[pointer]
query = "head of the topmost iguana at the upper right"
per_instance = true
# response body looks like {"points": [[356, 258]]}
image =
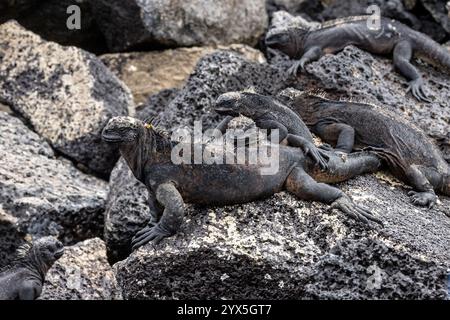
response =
{"points": [[287, 40]]}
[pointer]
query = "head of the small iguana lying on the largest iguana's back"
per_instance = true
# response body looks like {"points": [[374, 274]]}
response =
{"points": [[244, 103]]}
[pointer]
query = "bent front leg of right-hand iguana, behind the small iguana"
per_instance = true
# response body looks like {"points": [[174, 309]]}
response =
{"points": [[343, 134]]}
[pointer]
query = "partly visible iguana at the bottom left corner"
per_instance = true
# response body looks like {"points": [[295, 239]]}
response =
{"points": [[23, 280]]}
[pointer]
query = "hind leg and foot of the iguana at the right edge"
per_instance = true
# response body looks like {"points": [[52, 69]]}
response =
{"points": [[424, 196]]}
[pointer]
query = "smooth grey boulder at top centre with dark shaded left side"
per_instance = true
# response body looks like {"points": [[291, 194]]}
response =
{"points": [[179, 23]]}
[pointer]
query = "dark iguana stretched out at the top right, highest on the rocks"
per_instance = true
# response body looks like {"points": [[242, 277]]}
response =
{"points": [[393, 37]]}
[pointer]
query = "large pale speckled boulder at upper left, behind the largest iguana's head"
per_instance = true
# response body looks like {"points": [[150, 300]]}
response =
{"points": [[67, 95]]}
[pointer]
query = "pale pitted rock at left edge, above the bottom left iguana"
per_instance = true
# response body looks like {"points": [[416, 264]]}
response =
{"points": [[47, 195]]}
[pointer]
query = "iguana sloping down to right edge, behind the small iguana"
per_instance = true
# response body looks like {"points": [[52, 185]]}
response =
{"points": [[408, 151]]}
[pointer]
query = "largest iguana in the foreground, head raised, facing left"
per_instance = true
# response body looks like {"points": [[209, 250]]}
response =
{"points": [[148, 153]]}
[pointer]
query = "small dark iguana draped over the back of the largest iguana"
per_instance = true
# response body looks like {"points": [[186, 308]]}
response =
{"points": [[268, 113]]}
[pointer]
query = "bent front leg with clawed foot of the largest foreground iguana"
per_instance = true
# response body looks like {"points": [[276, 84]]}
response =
{"points": [[170, 222]]}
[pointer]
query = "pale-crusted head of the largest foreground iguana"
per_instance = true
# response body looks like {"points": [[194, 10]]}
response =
{"points": [[122, 130]]}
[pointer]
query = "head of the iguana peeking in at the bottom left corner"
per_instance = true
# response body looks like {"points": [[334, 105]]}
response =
{"points": [[44, 252]]}
